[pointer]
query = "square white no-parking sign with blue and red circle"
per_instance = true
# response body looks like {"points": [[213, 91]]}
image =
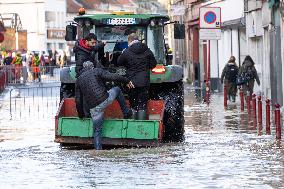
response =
{"points": [[210, 17]]}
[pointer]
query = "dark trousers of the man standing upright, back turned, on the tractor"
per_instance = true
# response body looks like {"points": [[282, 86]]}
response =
{"points": [[138, 98]]}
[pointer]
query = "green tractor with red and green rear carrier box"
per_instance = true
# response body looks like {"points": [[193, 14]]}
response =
{"points": [[166, 80]]}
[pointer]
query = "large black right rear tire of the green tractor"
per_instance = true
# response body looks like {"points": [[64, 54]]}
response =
{"points": [[173, 95]]}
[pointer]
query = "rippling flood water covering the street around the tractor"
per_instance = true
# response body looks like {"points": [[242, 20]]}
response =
{"points": [[221, 150]]}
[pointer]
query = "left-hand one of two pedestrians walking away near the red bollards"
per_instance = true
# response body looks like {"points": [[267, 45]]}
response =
{"points": [[230, 73]]}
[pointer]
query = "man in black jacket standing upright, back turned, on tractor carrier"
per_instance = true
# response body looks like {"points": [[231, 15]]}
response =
{"points": [[138, 59]]}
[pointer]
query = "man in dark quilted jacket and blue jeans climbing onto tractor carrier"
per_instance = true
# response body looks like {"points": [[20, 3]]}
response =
{"points": [[92, 96]]}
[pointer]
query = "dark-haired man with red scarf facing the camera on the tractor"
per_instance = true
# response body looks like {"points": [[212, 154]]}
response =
{"points": [[85, 50]]}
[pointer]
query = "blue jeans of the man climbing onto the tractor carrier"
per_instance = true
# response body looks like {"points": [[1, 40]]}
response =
{"points": [[97, 113]]}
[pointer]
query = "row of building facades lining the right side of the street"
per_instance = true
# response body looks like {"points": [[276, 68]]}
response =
{"points": [[249, 27]]}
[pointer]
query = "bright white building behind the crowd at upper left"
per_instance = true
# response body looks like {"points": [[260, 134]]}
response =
{"points": [[44, 21]]}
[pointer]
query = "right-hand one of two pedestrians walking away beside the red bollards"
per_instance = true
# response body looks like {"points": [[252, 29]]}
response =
{"points": [[248, 74]]}
